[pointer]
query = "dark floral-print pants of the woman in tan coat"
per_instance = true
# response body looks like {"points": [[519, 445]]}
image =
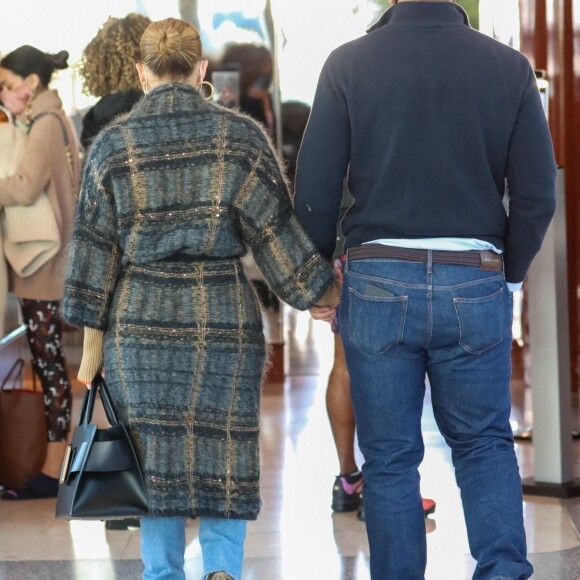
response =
{"points": [[44, 333]]}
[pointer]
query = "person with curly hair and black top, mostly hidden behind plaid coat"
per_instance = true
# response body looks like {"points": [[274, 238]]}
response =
{"points": [[108, 71]]}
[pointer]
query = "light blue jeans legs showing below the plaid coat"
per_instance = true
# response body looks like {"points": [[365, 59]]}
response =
{"points": [[163, 546]]}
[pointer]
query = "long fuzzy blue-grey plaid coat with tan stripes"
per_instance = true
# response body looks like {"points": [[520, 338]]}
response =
{"points": [[172, 195]]}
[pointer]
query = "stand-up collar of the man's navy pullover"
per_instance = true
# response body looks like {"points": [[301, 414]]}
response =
{"points": [[431, 14]]}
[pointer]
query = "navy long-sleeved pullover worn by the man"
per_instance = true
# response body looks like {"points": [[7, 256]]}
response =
{"points": [[431, 119]]}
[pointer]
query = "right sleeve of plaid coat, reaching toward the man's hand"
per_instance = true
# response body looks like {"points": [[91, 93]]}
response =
{"points": [[285, 254]]}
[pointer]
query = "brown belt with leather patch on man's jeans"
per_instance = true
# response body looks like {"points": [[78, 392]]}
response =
{"points": [[483, 259]]}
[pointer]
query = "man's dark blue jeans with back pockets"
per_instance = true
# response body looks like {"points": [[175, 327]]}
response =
{"points": [[401, 321]]}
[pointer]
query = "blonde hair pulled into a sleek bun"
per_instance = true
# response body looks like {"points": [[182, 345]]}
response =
{"points": [[171, 48]]}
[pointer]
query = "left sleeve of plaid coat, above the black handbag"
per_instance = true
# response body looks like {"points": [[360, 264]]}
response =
{"points": [[94, 253]]}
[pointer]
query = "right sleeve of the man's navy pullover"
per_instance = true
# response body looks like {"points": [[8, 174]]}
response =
{"points": [[531, 178]]}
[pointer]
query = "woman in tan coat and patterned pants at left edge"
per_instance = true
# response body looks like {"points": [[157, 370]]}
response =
{"points": [[50, 164]]}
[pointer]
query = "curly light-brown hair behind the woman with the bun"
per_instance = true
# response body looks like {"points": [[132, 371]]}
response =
{"points": [[108, 61]]}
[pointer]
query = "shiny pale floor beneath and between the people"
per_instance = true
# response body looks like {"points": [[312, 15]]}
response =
{"points": [[296, 536]]}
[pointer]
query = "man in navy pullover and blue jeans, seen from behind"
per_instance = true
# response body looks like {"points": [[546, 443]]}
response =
{"points": [[433, 122]]}
